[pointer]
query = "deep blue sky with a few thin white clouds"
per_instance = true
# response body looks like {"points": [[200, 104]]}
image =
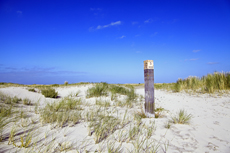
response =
{"points": [[47, 42]]}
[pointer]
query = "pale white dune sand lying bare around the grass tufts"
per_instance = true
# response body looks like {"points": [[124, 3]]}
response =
{"points": [[208, 131]]}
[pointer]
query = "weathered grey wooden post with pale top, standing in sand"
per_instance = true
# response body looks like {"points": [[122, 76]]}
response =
{"points": [[149, 88]]}
